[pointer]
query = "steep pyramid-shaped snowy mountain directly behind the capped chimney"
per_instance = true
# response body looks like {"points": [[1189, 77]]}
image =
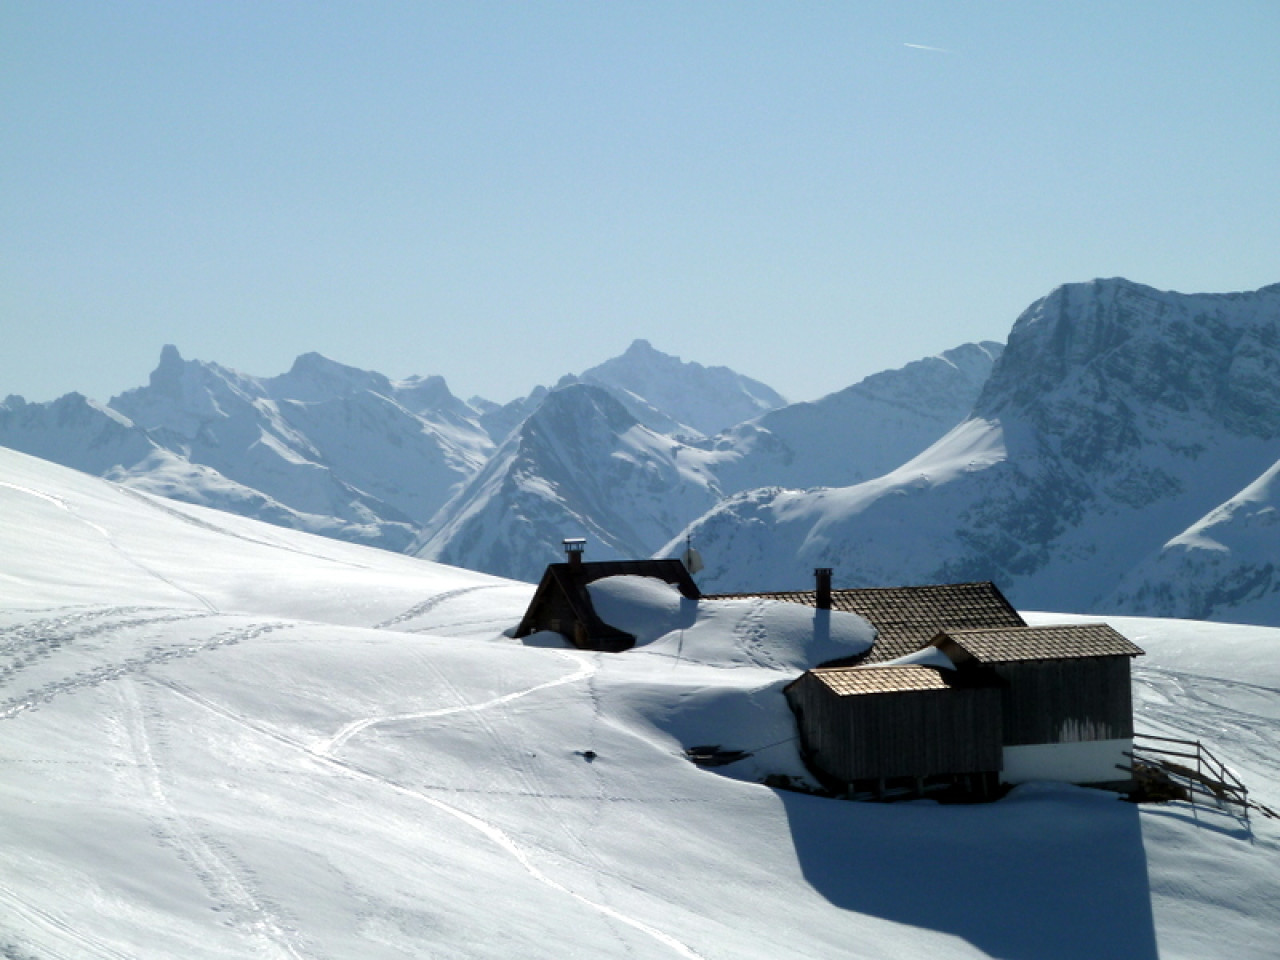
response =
{"points": [[580, 467]]}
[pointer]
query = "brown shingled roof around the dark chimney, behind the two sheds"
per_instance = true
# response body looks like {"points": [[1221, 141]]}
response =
{"points": [[907, 619]]}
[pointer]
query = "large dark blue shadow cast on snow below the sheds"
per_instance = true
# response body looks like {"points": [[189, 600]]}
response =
{"points": [[1048, 874]]}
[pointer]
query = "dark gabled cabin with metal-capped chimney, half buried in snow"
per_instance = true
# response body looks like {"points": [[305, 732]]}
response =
{"points": [[564, 606]]}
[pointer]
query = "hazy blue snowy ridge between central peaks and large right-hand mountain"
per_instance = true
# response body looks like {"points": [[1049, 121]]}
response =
{"points": [[858, 433]]}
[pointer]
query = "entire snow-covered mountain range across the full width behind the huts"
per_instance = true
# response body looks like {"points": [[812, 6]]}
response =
{"points": [[1119, 455]]}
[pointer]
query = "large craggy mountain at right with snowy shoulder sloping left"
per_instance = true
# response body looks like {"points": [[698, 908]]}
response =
{"points": [[1116, 419]]}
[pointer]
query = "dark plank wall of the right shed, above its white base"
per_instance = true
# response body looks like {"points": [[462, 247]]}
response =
{"points": [[1063, 702]]}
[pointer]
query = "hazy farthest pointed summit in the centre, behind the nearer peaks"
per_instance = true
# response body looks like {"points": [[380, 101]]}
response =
{"points": [[706, 399]]}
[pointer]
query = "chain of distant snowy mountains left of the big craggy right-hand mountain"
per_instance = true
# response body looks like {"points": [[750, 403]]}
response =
{"points": [[625, 454]]}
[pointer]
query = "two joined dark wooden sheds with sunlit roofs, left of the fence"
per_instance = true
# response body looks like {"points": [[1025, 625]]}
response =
{"points": [[980, 707]]}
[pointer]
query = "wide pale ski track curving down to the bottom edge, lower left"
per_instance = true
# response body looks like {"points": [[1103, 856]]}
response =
{"points": [[226, 880]]}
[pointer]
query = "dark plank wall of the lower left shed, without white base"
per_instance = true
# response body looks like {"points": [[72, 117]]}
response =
{"points": [[904, 734]]}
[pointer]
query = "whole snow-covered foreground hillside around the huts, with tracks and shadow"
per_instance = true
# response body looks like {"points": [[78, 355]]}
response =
{"points": [[227, 740]]}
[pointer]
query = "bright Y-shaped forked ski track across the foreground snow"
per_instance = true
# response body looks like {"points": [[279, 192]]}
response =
{"points": [[324, 755]]}
